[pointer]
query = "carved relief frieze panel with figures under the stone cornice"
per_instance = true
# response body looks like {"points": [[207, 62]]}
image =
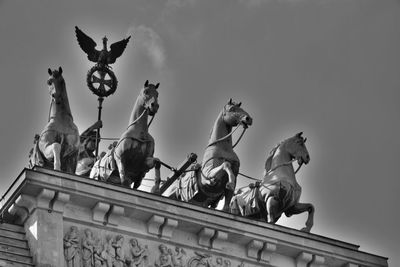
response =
{"points": [[88, 247]]}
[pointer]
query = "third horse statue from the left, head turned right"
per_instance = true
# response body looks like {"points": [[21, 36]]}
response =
{"points": [[207, 184]]}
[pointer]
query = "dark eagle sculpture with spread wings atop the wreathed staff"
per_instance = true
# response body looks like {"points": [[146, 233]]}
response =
{"points": [[103, 57]]}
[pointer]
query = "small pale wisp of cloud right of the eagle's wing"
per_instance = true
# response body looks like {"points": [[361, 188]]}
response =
{"points": [[147, 39]]}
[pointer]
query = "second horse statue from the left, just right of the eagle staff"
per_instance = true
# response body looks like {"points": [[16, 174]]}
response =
{"points": [[131, 158]]}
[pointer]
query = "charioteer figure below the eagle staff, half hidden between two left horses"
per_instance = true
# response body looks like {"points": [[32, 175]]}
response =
{"points": [[86, 156]]}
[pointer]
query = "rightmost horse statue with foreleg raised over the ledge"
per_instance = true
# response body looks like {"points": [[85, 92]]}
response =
{"points": [[279, 191]]}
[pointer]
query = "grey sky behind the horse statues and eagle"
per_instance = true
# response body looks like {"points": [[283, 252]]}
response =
{"points": [[329, 68]]}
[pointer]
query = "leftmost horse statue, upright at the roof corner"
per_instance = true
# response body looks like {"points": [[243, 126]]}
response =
{"points": [[58, 144]]}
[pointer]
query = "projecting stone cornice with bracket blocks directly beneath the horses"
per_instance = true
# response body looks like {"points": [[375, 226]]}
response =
{"points": [[260, 241]]}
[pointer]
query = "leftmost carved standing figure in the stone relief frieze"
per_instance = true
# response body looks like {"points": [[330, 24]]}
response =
{"points": [[72, 248]]}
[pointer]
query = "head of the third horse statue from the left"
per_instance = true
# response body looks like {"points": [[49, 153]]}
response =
{"points": [[233, 115]]}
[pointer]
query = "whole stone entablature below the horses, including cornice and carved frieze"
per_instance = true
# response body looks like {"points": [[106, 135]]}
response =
{"points": [[162, 231]]}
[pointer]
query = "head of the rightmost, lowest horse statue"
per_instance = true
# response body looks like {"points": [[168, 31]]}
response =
{"points": [[297, 148]]}
